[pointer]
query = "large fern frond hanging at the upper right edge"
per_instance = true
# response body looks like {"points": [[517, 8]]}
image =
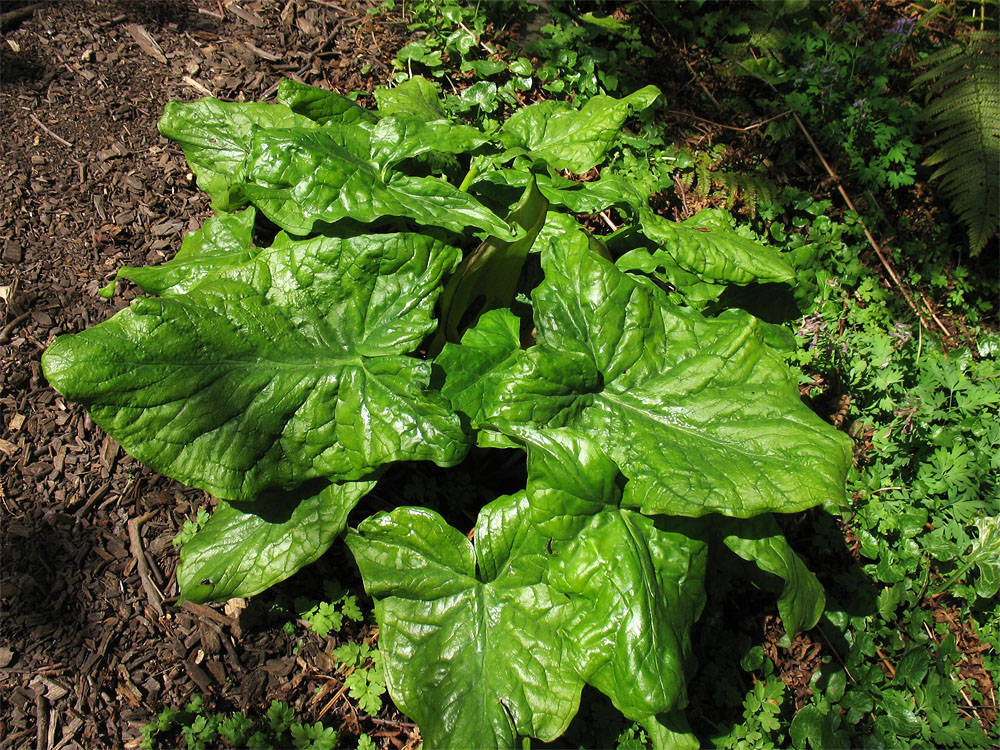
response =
{"points": [[964, 112]]}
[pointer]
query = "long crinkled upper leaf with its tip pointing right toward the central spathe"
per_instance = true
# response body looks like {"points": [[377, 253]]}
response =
{"points": [[298, 177]]}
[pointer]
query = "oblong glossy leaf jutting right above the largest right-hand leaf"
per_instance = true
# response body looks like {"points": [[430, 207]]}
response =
{"points": [[713, 255]]}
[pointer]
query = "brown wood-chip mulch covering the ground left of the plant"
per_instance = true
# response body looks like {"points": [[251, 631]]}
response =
{"points": [[92, 645]]}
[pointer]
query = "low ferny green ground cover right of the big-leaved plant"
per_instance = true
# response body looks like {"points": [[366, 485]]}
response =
{"points": [[924, 490]]}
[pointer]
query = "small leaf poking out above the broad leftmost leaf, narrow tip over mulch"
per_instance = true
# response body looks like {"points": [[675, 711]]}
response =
{"points": [[224, 240]]}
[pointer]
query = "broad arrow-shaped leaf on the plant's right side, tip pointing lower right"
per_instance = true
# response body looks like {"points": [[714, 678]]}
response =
{"points": [[698, 413]]}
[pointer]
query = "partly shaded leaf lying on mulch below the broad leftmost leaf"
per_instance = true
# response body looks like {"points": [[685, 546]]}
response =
{"points": [[248, 547]]}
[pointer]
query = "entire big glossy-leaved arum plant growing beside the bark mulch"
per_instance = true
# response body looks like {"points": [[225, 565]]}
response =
{"points": [[429, 290]]}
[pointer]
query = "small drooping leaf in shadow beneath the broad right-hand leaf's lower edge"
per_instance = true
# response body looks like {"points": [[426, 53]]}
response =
{"points": [[759, 540]]}
